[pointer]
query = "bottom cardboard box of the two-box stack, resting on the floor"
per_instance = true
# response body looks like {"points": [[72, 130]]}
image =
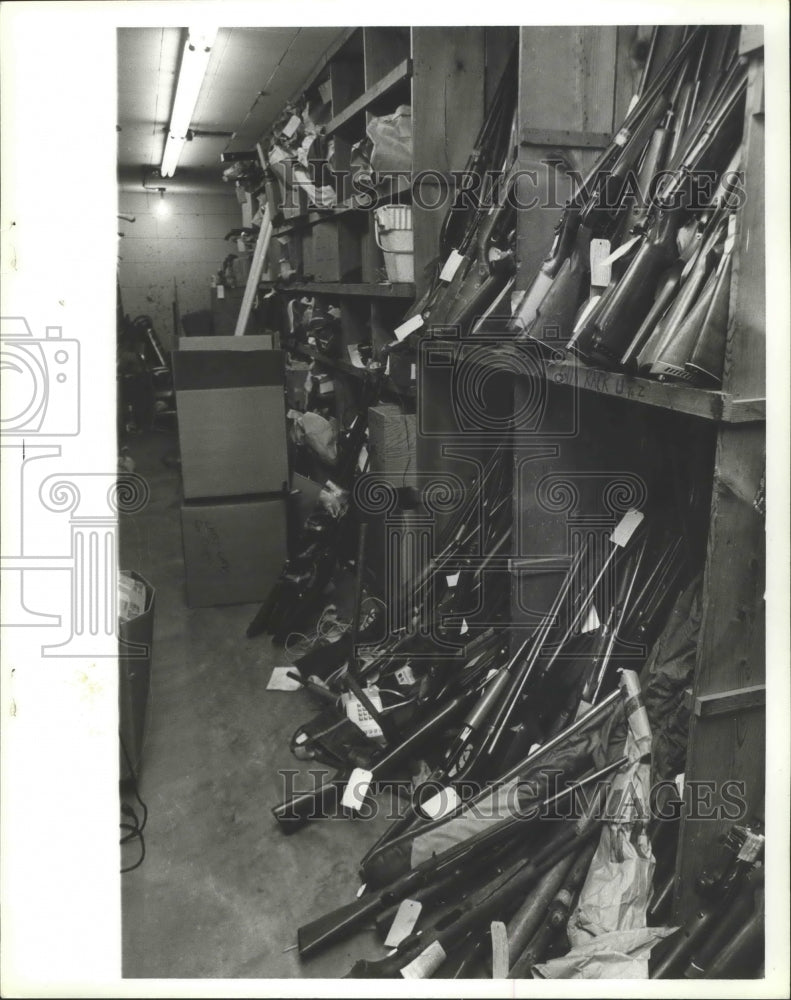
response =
{"points": [[233, 550]]}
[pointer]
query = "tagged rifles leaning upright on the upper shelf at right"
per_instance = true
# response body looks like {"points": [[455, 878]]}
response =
{"points": [[638, 278]]}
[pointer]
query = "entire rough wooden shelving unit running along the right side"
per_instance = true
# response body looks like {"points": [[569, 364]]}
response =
{"points": [[590, 427]]}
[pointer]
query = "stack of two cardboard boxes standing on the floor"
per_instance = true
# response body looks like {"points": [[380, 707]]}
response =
{"points": [[234, 465]]}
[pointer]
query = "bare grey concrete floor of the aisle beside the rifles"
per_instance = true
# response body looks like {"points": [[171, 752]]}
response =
{"points": [[221, 891]]}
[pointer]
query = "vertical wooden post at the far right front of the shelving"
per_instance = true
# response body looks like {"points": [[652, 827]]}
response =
{"points": [[731, 650]]}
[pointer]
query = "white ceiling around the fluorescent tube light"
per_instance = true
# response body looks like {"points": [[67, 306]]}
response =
{"points": [[251, 75]]}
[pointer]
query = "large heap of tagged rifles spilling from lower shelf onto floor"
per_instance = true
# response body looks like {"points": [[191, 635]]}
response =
{"points": [[546, 716]]}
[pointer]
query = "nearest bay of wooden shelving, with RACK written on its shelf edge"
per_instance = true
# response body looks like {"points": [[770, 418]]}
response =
{"points": [[590, 430]]}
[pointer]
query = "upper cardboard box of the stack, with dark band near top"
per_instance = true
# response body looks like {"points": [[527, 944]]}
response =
{"points": [[231, 417]]}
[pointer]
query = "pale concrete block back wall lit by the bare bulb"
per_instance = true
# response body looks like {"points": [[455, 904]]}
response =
{"points": [[178, 251]]}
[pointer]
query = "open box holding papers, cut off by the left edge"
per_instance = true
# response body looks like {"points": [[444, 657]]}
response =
{"points": [[136, 637]]}
